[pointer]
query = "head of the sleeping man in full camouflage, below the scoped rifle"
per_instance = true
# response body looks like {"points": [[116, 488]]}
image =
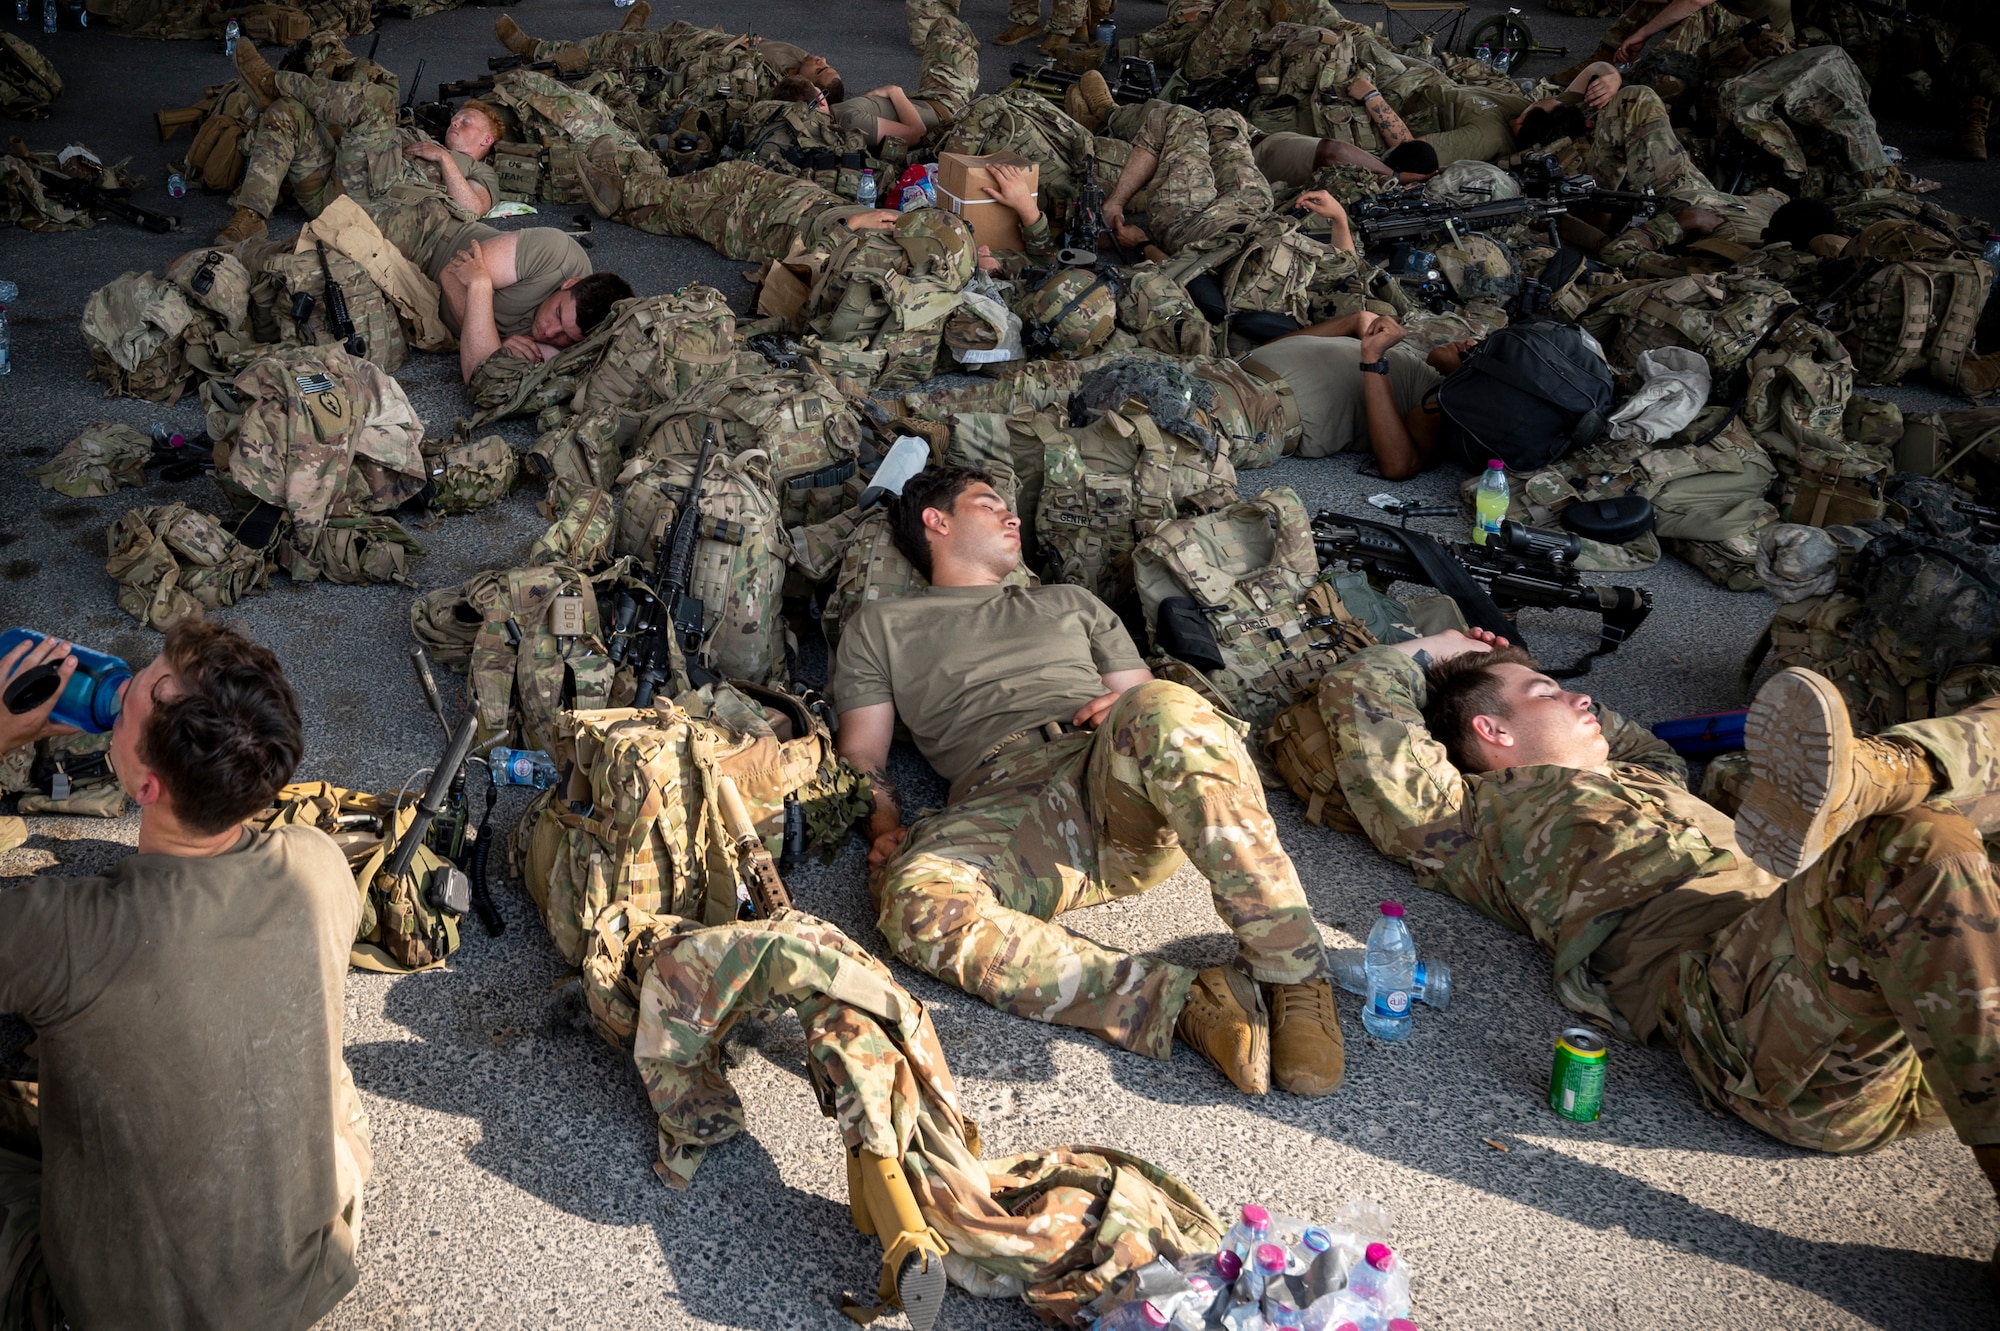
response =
{"points": [[1497, 710]]}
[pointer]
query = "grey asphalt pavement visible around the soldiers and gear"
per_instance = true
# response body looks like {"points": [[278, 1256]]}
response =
{"points": [[513, 1178]]}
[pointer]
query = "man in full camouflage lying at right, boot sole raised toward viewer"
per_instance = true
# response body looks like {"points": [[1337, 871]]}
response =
{"points": [[1825, 966]]}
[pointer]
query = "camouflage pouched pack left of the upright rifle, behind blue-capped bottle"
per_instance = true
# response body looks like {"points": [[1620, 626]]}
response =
{"points": [[527, 641]]}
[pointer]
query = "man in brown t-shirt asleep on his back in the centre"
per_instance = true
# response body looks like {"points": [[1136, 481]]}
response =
{"points": [[1077, 778]]}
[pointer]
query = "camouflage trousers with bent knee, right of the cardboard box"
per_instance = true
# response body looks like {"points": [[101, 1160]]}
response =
{"points": [[1207, 181]]}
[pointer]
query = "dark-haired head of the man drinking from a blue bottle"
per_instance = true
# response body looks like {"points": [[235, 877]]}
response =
{"points": [[207, 734]]}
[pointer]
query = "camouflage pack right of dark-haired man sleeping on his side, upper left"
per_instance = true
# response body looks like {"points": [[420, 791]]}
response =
{"points": [[659, 349]]}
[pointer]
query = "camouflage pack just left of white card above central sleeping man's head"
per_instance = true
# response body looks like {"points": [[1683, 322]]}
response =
{"points": [[799, 419]]}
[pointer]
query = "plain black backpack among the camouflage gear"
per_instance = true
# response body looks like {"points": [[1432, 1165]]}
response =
{"points": [[1527, 397]]}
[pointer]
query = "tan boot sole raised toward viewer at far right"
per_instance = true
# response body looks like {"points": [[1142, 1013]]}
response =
{"points": [[1799, 740]]}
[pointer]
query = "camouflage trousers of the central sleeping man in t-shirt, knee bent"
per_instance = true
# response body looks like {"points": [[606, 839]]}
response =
{"points": [[1083, 820]]}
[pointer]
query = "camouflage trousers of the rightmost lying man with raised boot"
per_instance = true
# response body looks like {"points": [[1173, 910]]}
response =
{"points": [[1859, 1002]]}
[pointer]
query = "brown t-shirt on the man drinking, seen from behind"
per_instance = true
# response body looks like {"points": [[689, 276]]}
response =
{"points": [[189, 1022]]}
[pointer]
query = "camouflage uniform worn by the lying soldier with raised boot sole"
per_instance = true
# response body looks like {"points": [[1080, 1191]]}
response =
{"points": [[1837, 1010]]}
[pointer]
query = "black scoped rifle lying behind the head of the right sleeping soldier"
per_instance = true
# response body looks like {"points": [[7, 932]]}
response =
{"points": [[1521, 567]]}
